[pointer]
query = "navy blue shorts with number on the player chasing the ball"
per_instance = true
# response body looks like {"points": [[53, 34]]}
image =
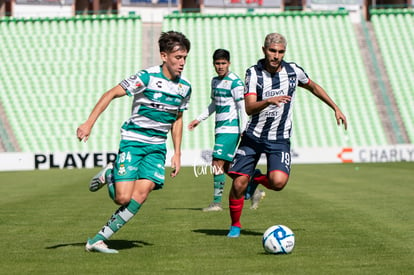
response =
{"points": [[251, 148]]}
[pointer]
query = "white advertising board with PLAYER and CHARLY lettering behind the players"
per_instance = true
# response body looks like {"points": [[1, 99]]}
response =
{"points": [[200, 159]]}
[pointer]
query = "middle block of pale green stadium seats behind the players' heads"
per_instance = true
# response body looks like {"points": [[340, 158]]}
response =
{"points": [[331, 58]]}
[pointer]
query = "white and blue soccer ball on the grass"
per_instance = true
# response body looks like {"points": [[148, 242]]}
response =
{"points": [[278, 239]]}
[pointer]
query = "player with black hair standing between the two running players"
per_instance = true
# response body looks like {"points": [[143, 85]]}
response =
{"points": [[227, 102]]}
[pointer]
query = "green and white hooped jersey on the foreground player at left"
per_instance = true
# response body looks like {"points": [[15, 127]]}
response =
{"points": [[156, 104]]}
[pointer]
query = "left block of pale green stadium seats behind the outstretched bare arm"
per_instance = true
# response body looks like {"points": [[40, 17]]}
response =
{"points": [[68, 64]]}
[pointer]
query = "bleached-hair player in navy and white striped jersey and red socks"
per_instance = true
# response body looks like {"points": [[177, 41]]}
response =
{"points": [[269, 97]]}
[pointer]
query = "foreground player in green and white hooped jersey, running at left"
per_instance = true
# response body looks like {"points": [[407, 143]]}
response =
{"points": [[161, 95]]}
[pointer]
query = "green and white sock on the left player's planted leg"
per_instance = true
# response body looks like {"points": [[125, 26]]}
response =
{"points": [[118, 219]]}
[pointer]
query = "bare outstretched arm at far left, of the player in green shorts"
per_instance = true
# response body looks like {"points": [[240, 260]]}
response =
{"points": [[84, 130]]}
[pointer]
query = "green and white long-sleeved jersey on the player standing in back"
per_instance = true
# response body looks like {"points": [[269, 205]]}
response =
{"points": [[227, 95]]}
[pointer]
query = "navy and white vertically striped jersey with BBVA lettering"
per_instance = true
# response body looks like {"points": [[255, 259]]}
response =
{"points": [[273, 123]]}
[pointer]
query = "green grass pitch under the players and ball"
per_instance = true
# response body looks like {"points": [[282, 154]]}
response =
{"points": [[347, 218]]}
